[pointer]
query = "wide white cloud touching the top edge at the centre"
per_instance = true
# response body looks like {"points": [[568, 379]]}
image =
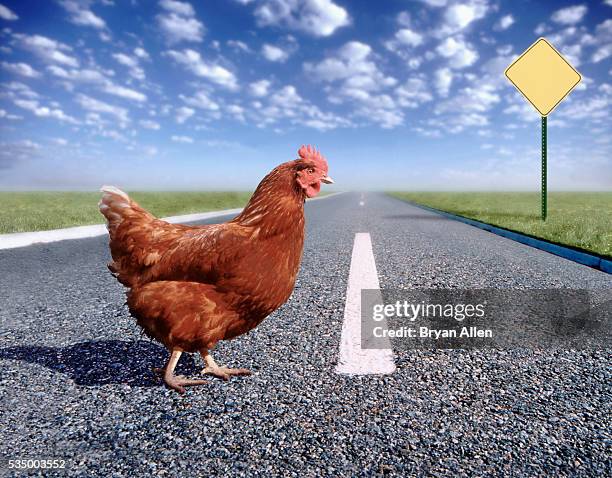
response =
{"points": [[319, 18]]}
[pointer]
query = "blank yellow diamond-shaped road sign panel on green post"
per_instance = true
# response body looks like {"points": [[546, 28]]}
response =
{"points": [[543, 76]]}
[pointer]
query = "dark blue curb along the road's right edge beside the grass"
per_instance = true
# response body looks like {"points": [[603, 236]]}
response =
{"points": [[584, 258]]}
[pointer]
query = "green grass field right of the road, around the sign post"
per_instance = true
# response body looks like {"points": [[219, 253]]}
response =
{"points": [[582, 220]]}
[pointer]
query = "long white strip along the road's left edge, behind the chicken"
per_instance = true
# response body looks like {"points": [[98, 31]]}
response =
{"points": [[22, 239]]}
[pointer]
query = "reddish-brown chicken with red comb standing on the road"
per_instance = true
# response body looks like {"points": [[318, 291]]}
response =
{"points": [[192, 286]]}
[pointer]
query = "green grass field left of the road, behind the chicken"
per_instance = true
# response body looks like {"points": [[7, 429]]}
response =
{"points": [[38, 211]]}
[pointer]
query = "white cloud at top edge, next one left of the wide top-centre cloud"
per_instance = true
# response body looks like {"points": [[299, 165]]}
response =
{"points": [[178, 22]]}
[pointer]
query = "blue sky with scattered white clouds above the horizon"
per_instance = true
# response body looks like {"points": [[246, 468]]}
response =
{"points": [[200, 95]]}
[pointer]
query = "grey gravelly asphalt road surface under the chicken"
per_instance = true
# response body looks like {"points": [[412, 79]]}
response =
{"points": [[76, 381]]}
